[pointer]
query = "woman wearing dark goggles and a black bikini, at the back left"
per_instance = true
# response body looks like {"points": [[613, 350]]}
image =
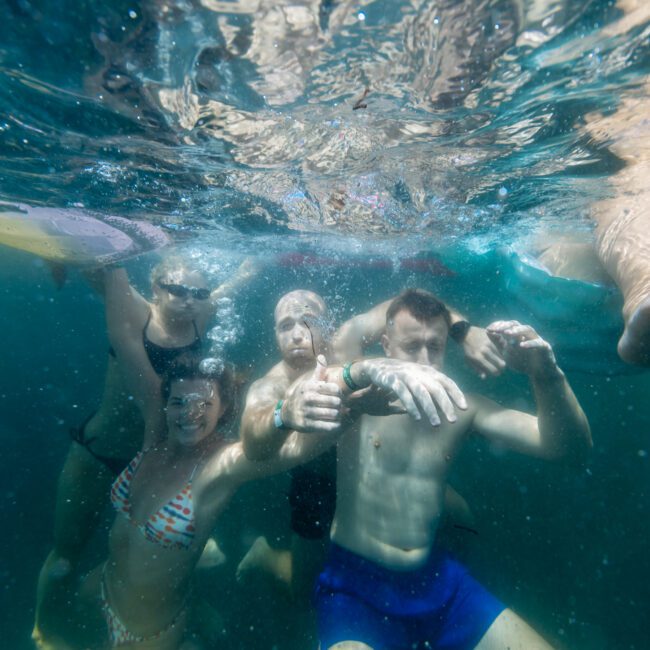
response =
{"points": [[171, 324]]}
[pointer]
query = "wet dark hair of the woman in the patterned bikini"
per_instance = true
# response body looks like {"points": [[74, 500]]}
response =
{"points": [[190, 366]]}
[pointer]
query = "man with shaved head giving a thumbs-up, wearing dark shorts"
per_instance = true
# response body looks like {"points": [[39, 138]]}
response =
{"points": [[272, 409]]}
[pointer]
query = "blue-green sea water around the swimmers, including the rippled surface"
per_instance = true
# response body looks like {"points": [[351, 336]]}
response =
{"points": [[231, 124]]}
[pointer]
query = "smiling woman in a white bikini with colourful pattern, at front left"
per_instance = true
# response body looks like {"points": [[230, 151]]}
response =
{"points": [[167, 501]]}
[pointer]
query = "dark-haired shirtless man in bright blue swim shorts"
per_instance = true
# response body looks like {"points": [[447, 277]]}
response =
{"points": [[386, 586]]}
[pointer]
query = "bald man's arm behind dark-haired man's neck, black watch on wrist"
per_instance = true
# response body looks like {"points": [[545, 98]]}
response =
{"points": [[362, 331]]}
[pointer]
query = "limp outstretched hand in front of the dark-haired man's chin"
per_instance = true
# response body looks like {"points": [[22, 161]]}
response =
{"points": [[423, 390]]}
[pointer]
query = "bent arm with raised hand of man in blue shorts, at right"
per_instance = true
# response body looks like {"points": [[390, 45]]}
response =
{"points": [[561, 429]]}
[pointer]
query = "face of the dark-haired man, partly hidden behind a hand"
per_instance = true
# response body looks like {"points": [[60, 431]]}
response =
{"points": [[409, 339]]}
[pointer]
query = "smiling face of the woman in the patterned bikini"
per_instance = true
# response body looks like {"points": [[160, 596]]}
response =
{"points": [[193, 410]]}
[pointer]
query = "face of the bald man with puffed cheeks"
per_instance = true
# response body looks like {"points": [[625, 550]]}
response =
{"points": [[299, 324]]}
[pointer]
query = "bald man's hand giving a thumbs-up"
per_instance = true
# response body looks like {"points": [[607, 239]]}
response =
{"points": [[312, 403]]}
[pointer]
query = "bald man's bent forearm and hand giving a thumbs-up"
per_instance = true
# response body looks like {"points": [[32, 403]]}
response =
{"points": [[311, 404]]}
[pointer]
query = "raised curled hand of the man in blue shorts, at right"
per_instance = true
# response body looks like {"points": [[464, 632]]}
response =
{"points": [[523, 349]]}
